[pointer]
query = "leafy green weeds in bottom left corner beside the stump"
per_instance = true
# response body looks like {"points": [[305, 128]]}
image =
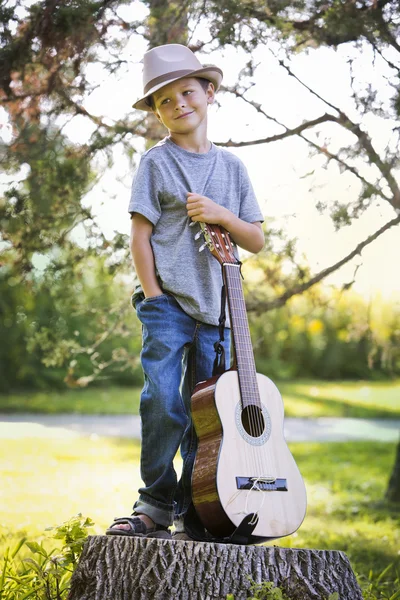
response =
{"points": [[44, 574]]}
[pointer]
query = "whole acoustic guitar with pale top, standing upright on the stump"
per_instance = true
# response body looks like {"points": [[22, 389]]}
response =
{"points": [[243, 465]]}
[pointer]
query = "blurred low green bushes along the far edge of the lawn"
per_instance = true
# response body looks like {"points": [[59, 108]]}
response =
{"points": [[78, 329]]}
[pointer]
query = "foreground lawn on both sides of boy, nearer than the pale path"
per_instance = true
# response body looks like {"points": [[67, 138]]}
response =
{"points": [[45, 482]]}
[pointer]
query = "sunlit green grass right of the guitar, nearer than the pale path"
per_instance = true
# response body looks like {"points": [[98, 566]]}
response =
{"points": [[345, 485]]}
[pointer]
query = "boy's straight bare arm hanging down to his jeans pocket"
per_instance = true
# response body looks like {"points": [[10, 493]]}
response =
{"points": [[142, 255]]}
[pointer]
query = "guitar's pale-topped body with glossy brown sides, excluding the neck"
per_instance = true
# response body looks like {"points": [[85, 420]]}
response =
{"points": [[228, 457]]}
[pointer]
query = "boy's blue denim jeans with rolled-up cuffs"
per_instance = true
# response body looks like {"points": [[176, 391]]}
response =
{"points": [[177, 353]]}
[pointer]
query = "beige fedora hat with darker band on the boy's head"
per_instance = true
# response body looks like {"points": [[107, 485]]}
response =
{"points": [[164, 64]]}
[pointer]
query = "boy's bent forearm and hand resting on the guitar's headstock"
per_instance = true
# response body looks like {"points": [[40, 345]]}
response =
{"points": [[249, 236]]}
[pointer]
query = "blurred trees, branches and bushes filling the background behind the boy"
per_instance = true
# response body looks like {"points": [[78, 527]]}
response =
{"points": [[65, 308]]}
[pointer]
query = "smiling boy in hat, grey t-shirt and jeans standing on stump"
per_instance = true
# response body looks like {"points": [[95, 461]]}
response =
{"points": [[182, 180]]}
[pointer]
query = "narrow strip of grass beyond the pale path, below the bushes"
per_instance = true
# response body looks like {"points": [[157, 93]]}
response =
{"points": [[311, 398]]}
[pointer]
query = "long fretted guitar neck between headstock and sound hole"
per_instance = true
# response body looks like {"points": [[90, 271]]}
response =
{"points": [[241, 336]]}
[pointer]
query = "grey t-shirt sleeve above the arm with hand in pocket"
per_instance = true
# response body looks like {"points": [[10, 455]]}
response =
{"points": [[146, 188]]}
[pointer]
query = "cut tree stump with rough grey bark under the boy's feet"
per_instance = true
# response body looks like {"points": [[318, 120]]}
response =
{"points": [[131, 568]]}
